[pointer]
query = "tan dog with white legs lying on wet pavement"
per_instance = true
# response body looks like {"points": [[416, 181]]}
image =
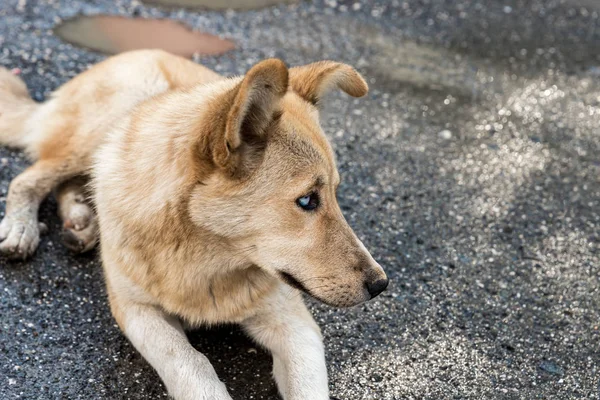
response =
{"points": [[210, 194]]}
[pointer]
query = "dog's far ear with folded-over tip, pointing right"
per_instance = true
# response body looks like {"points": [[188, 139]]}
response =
{"points": [[314, 80]]}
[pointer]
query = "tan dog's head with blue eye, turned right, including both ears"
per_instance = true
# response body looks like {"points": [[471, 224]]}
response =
{"points": [[272, 187]]}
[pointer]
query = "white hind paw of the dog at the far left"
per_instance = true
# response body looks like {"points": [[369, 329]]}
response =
{"points": [[19, 237]]}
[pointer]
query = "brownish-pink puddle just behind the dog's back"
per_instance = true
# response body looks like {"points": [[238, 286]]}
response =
{"points": [[111, 35]]}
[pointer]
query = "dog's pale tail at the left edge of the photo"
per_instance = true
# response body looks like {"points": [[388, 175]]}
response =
{"points": [[16, 107]]}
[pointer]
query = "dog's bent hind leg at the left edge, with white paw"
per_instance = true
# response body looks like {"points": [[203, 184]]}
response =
{"points": [[19, 230]]}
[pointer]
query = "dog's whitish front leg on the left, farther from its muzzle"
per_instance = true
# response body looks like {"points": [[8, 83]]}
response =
{"points": [[159, 337]]}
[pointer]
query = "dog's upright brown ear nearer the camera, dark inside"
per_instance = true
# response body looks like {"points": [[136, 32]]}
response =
{"points": [[250, 108]]}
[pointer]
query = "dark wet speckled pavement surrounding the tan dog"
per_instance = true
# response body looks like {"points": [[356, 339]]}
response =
{"points": [[472, 172]]}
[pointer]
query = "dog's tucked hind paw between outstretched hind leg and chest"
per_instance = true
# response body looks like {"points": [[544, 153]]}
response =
{"points": [[80, 225]]}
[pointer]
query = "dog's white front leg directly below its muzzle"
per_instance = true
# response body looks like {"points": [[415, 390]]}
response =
{"points": [[286, 328]]}
